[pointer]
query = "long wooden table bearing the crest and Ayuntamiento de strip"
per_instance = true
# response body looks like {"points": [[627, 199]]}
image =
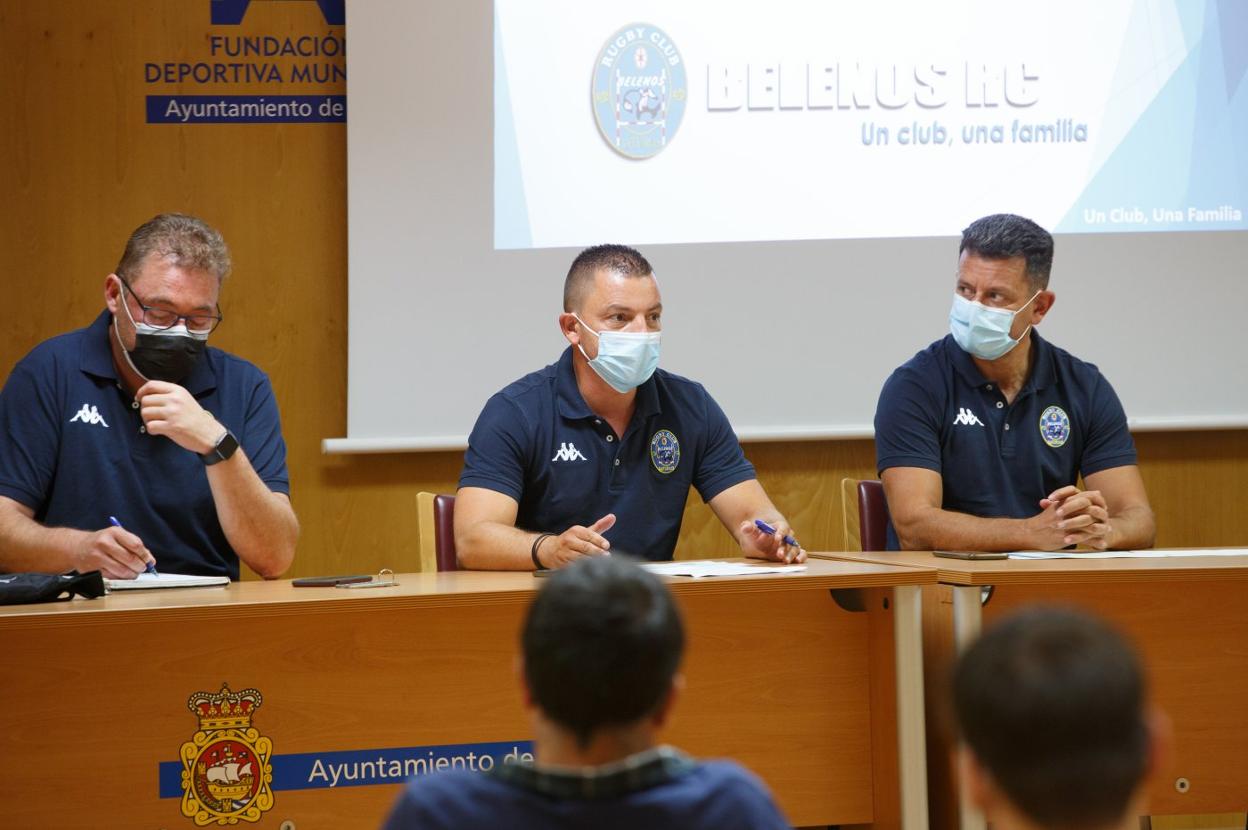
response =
{"points": [[360, 687]]}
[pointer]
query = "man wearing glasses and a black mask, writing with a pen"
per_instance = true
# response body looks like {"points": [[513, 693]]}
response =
{"points": [[129, 444]]}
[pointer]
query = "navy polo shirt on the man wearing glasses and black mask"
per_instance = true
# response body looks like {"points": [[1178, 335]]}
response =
{"points": [[74, 449]]}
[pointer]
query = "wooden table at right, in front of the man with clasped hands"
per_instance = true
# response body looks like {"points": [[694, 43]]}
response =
{"points": [[1189, 618]]}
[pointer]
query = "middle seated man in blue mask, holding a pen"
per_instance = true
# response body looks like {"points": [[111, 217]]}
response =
{"points": [[597, 452]]}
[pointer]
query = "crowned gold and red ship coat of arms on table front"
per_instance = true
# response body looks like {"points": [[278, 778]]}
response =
{"points": [[227, 767]]}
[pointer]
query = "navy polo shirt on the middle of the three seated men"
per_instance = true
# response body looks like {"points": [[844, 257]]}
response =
{"points": [[539, 442]]}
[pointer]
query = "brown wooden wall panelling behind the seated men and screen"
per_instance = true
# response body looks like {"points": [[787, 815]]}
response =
{"points": [[82, 170]]}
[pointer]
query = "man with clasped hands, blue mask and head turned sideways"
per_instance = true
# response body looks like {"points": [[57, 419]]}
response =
{"points": [[982, 439]]}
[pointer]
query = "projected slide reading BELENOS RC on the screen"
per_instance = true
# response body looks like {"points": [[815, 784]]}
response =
{"points": [[713, 122]]}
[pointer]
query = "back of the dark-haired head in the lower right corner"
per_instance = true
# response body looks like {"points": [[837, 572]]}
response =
{"points": [[1050, 703]]}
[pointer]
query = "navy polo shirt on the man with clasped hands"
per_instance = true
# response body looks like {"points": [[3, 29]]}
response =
{"points": [[998, 460]]}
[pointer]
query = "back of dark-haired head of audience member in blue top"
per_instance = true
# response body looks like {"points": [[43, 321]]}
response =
{"points": [[602, 645]]}
